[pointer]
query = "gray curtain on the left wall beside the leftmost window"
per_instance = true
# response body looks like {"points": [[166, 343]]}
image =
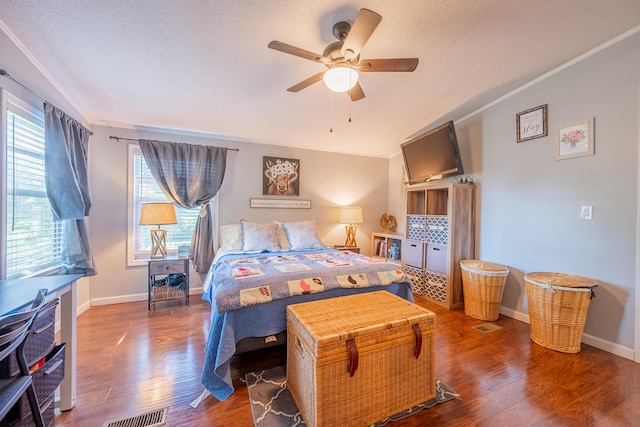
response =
{"points": [[66, 143]]}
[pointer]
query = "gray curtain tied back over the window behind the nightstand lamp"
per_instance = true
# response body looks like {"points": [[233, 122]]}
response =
{"points": [[189, 176]]}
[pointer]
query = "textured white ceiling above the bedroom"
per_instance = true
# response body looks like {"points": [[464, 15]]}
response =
{"points": [[204, 66]]}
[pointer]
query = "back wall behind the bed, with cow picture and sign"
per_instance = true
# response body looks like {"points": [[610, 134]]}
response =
{"points": [[329, 180]]}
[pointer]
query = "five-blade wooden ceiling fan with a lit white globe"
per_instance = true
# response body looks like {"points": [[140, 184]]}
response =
{"points": [[342, 58]]}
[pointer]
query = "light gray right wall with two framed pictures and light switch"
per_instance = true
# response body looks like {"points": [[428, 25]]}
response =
{"points": [[528, 204]]}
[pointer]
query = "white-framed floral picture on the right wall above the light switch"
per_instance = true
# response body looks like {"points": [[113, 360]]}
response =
{"points": [[574, 140]]}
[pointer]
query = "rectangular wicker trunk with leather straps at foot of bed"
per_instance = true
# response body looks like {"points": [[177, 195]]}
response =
{"points": [[351, 361]]}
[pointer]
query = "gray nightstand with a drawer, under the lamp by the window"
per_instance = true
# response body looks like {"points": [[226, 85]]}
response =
{"points": [[162, 268]]}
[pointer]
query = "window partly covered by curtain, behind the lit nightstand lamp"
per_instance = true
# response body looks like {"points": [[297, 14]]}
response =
{"points": [[143, 189]]}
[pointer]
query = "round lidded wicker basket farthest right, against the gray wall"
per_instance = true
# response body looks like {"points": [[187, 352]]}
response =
{"points": [[558, 305]]}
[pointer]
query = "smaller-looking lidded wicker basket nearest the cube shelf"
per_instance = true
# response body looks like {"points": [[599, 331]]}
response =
{"points": [[483, 285]]}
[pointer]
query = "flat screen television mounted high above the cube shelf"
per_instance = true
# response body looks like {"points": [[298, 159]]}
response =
{"points": [[432, 155]]}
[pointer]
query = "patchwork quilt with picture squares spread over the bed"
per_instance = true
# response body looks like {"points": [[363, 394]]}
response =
{"points": [[249, 279]]}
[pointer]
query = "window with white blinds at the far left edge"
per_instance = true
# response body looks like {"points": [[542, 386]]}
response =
{"points": [[32, 240]]}
